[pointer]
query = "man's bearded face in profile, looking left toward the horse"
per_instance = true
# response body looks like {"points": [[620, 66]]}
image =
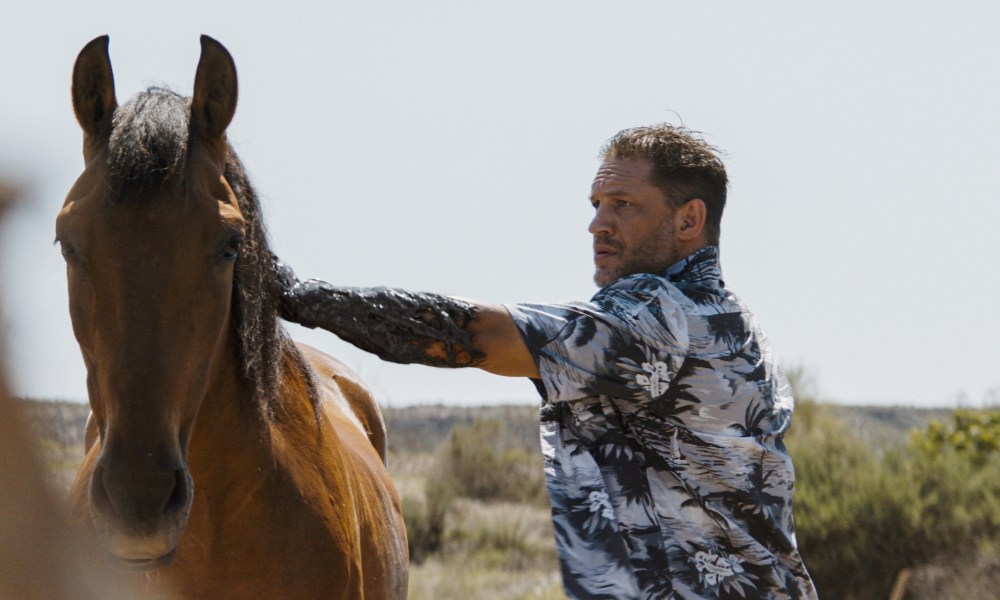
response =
{"points": [[633, 226]]}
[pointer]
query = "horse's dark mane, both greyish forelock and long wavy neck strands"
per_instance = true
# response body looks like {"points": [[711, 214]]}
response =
{"points": [[148, 149]]}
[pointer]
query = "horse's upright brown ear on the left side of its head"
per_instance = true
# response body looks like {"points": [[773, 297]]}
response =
{"points": [[94, 89]]}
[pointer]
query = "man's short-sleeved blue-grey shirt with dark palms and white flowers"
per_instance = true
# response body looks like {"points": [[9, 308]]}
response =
{"points": [[661, 428]]}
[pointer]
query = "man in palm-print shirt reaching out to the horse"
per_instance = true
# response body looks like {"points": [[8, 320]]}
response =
{"points": [[662, 414]]}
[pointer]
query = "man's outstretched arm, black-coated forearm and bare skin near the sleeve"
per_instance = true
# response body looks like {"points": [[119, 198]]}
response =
{"points": [[408, 327]]}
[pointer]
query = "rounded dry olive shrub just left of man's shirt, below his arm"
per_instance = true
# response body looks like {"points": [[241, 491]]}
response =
{"points": [[488, 462]]}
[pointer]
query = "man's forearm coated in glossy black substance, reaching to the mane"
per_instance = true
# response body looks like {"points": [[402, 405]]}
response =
{"points": [[398, 326]]}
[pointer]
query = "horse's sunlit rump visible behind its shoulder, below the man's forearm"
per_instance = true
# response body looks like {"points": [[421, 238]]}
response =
{"points": [[345, 393]]}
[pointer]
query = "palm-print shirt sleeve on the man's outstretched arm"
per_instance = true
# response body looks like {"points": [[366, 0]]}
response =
{"points": [[627, 342]]}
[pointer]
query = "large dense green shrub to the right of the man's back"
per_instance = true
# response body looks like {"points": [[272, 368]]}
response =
{"points": [[864, 513]]}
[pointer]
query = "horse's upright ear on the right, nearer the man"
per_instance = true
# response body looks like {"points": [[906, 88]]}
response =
{"points": [[214, 100]]}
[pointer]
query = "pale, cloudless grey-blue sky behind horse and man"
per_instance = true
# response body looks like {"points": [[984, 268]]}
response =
{"points": [[450, 146]]}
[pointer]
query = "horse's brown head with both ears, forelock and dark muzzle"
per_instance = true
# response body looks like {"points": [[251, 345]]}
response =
{"points": [[151, 232]]}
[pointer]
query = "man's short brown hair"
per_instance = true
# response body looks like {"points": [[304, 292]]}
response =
{"points": [[684, 167]]}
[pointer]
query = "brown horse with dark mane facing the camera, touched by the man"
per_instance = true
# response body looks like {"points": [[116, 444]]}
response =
{"points": [[225, 458]]}
